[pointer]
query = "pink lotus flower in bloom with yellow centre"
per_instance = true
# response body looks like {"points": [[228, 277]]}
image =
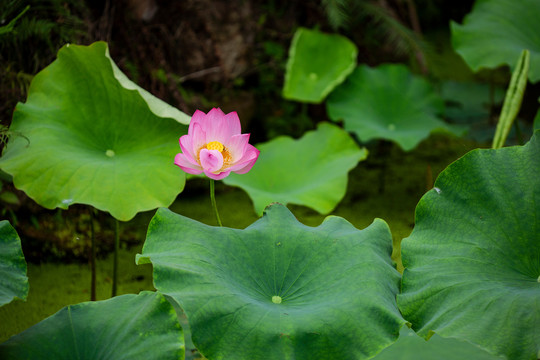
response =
{"points": [[215, 146]]}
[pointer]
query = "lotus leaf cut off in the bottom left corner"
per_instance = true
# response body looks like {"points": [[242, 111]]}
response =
{"points": [[143, 326]]}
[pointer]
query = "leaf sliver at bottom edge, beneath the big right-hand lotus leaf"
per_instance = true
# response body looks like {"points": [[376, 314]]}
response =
{"points": [[410, 346]]}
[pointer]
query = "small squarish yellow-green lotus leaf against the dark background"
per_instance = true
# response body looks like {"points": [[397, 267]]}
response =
{"points": [[317, 63]]}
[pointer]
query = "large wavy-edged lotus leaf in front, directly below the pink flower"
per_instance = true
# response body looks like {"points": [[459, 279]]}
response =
{"points": [[278, 289]]}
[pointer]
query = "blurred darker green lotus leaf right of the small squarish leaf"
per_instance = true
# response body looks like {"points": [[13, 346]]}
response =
{"points": [[387, 102]]}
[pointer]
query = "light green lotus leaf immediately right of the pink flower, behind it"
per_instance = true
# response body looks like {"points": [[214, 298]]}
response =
{"points": [[311, 171]]}
